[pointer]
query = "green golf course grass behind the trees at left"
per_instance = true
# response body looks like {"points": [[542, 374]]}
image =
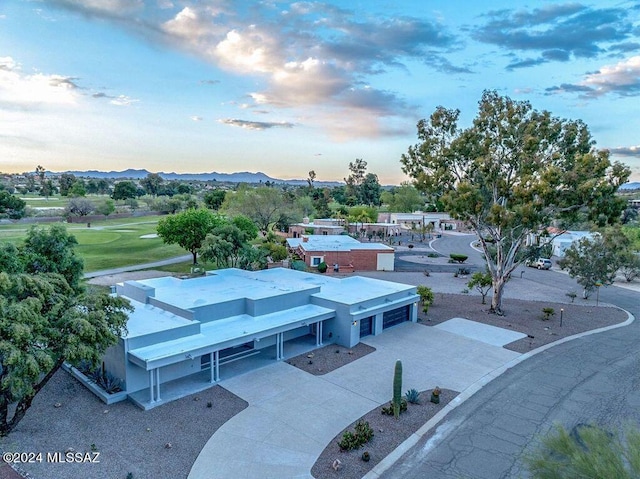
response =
{"points": [[111, 243]]}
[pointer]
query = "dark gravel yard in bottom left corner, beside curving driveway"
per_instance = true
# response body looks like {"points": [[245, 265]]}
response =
{"points": [[161, 443]]}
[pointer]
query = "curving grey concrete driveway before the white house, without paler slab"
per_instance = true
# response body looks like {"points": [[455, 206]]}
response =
{"points": [[293, 415]]}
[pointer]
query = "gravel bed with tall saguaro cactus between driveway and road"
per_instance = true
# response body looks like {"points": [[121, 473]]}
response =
{"points": [[389, 433]]}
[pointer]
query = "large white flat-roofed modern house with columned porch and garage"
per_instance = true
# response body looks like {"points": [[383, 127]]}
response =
{"points": [[183, 332]]}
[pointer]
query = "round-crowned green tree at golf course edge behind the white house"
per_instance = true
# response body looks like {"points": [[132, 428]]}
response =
{"points": [[188, 229]]}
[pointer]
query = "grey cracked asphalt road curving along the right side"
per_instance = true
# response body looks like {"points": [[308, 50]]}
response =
{"points": [[594, 379]]}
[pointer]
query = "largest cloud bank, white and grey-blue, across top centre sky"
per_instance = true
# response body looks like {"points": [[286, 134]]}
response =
{"points": [[310, 54]]}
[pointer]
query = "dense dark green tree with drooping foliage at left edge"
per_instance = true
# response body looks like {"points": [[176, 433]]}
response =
{"points": [[47, 317]]}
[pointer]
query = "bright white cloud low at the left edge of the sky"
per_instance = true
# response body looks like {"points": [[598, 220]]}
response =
{"points": [[22, 90]]}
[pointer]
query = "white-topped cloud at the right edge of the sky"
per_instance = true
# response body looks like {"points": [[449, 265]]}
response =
{"points": [[622, 79]]}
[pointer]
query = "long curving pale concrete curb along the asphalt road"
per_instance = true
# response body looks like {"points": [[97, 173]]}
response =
{"points": [[412, 440]]}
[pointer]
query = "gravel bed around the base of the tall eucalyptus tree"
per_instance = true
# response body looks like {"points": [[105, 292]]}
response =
{"points": [[525, 317]]}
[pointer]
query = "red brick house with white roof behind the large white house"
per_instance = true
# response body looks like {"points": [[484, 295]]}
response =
{"points": [[344, 251]]}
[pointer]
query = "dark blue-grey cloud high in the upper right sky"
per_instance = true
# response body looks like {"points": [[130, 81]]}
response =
{"points": [[557, 32]]}
